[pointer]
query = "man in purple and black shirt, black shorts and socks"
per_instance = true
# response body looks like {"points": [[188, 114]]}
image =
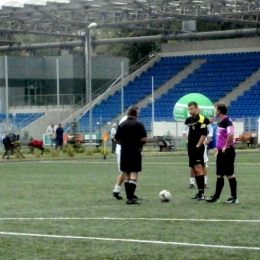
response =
{"points": [[225, 156]]}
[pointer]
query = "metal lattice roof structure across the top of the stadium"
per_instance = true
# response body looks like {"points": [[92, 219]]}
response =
{"points": [[72, 17]]}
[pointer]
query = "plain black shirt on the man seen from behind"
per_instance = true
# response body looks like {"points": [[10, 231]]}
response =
{"points": [[130, 132]]}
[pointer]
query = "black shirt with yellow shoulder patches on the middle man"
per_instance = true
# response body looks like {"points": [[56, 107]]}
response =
{"points": [[197, 128]]}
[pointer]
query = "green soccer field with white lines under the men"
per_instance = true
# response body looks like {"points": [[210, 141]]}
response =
{"points": [[64, 209]]}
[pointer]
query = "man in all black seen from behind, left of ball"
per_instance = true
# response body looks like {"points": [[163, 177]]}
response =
{"points": [[131, 135]]}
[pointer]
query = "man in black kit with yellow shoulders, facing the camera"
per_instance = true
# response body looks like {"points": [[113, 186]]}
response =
{"points": [[197, 134]]}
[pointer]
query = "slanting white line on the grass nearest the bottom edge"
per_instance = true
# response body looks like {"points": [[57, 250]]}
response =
{"points": [[127, 240]]}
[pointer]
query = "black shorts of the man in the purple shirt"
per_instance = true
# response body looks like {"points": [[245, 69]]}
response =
{"points": [[225, 162]]}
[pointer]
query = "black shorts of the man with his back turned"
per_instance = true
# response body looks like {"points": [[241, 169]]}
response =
{"points": [[131, 161]]}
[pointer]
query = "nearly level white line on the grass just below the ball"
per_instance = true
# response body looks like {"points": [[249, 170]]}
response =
{"points": [[143, 219]]}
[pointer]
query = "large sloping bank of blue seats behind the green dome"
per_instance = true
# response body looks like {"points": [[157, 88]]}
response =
{"points": [[217, 76]]}
